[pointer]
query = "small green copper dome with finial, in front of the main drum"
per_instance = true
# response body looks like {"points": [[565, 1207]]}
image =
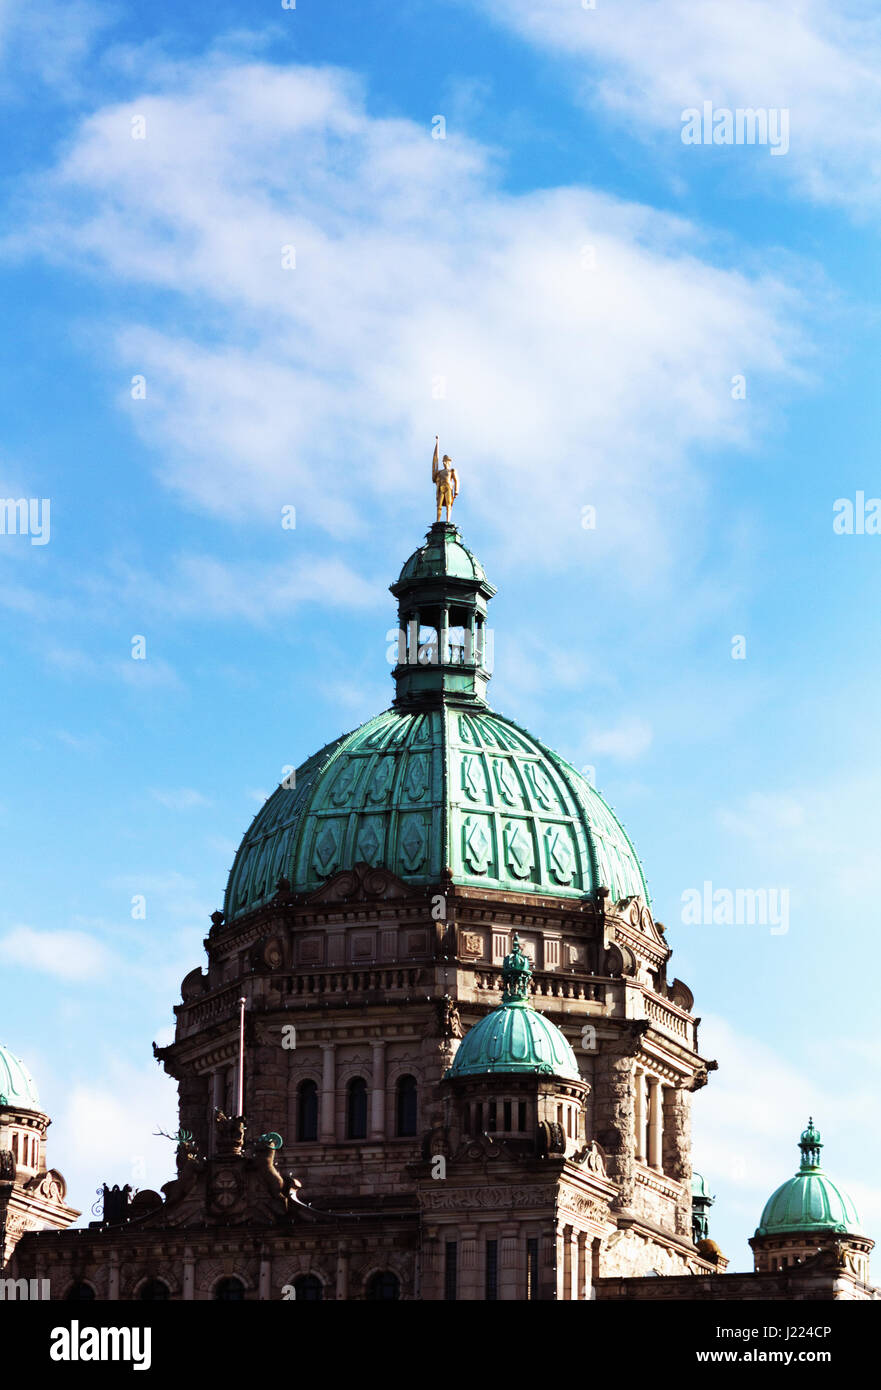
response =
{"points": [[515, 1038]]}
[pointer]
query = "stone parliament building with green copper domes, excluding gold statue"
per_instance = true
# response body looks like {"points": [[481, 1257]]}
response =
{"points": [[436, 1050]]}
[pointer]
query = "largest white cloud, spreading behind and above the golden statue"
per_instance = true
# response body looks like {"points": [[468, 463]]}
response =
{"points": [[423, 300]]}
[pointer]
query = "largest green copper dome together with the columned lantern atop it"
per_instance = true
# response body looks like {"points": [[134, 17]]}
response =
{"points": [[438, 785]]}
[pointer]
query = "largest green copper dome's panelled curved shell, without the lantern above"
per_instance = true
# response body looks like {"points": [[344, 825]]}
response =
{"points": [[419, 794]]}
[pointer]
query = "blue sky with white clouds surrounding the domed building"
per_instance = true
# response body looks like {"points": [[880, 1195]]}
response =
{"points": [[566, 293]]}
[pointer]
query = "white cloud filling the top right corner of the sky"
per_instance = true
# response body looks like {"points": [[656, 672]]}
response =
{"points": [[644, 63]]}
